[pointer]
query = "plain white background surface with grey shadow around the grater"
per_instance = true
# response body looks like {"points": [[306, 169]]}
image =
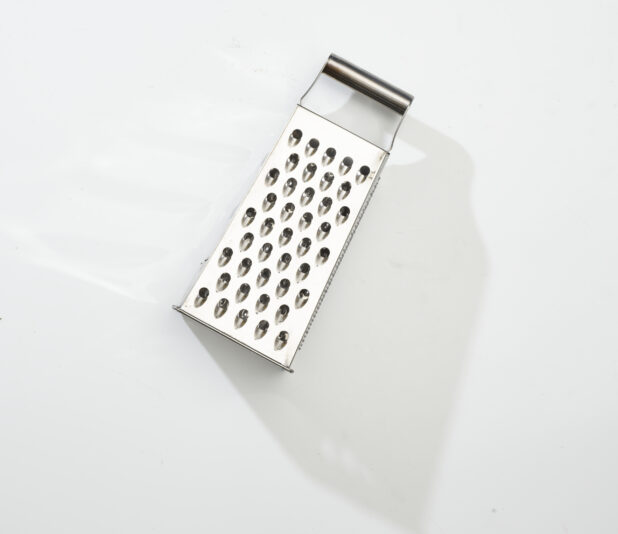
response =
{"points": [[461, 376]]}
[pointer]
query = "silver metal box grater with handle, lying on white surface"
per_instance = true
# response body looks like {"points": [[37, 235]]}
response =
{"points": [[267, 277]]}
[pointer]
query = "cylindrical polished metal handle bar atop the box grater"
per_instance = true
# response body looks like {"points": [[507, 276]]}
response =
{"points": [[364, 82]]}
